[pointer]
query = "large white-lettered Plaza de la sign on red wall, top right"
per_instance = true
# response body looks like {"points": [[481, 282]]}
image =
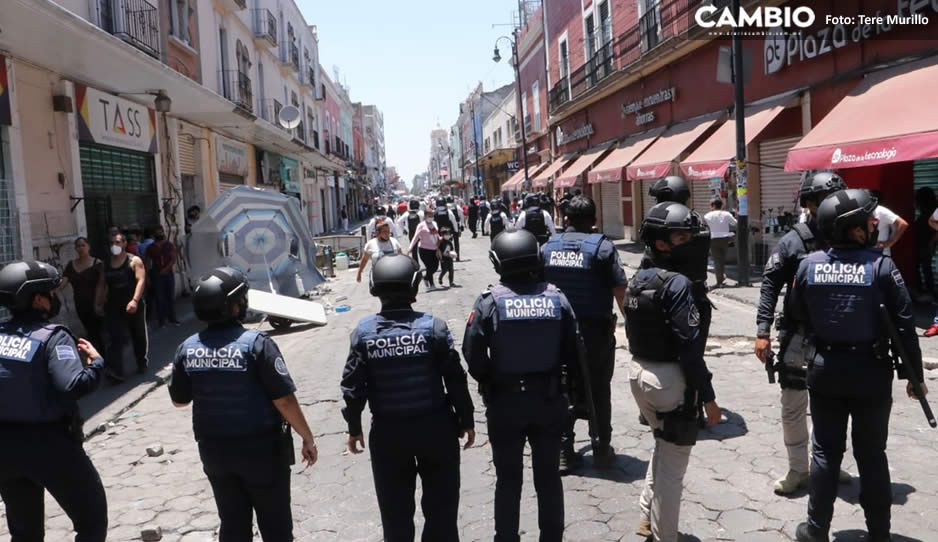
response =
{"points": [[784, 49]]}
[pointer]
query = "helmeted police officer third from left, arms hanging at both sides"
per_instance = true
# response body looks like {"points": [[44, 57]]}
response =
{"points": [[399, 362]]}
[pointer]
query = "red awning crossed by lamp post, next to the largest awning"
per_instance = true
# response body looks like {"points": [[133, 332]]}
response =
{"points": [[712, 157]]}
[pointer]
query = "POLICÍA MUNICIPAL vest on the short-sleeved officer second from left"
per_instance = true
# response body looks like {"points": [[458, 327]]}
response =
{"points": [[228, 398]]}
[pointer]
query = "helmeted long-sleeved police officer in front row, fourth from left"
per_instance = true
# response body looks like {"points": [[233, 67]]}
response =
{"points": [[520, 341]]}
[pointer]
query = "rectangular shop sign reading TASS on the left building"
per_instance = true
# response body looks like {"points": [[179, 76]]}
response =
{"points": [[107, 119]]}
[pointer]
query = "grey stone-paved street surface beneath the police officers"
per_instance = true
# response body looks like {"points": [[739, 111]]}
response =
{"points": [[728, 487]]}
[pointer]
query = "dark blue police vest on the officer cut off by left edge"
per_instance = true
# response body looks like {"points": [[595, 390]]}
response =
{"points": [[26, 392]]}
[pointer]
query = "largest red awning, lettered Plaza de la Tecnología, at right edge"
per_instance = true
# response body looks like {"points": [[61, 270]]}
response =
{"points": [[890, 117]]}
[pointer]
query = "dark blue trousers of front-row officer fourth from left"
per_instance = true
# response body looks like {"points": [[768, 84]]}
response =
{"points": [[513, 418]]}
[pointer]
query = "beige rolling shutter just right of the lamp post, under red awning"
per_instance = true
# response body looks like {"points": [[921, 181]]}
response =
{"points": [[779, 188]]}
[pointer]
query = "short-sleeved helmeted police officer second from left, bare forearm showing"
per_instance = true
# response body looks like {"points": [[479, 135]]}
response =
{"points": [[241, 392]]}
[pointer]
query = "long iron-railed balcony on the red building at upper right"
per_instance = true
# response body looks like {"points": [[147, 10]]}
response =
{"points": [[662, 21]]}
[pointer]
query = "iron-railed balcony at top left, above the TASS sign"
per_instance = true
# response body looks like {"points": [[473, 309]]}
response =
{"points": [[135, 21]]}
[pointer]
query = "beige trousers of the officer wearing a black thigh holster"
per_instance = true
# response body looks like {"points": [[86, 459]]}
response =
{"points": [[659, 387]]}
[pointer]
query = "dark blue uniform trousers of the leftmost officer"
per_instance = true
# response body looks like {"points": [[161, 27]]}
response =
{"points": [[35, 458]]}
